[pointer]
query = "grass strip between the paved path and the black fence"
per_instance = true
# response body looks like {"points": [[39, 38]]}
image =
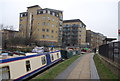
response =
{"points": [[103, 71]]}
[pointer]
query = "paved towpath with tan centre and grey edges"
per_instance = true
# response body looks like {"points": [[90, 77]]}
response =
{"points": [[82, 68]]}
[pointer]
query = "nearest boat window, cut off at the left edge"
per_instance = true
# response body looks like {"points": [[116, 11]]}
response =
{"points": [[4, 73]]}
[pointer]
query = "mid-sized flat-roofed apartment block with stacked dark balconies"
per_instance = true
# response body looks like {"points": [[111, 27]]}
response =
{"points": [[74, 33]]}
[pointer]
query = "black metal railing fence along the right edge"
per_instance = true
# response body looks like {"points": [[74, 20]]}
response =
{"points": [[111, 51]]}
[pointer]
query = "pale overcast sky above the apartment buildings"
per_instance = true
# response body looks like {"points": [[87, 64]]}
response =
{"points": [[98, 15]]}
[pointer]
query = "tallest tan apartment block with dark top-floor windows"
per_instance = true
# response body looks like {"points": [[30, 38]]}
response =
{"points": [[43, 26]]}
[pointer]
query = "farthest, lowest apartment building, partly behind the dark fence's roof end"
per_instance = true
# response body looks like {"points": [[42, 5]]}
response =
{"points": [[94, 39]]}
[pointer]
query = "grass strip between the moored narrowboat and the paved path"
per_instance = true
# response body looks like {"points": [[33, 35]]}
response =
{"points": [[52, 73]]}
